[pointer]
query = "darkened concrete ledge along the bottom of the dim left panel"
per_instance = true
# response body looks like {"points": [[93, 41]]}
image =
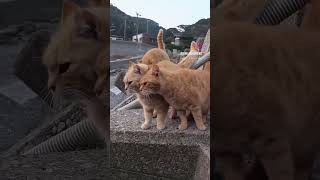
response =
{"points": [[91, 164]]}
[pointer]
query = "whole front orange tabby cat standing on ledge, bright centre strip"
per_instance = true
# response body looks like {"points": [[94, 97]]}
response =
{"points": [[183, 89]]}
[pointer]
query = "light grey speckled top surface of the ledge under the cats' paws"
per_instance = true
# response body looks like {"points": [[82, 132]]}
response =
{"points": [[126, 127]]}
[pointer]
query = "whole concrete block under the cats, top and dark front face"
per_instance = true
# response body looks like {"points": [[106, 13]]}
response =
{"points": [[189, 149]]}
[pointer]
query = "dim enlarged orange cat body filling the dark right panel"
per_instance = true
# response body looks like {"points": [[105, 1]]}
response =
{"points": [[266, 99]]}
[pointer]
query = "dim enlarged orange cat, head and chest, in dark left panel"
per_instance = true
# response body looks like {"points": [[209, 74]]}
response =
{"points": [[76, 58]]}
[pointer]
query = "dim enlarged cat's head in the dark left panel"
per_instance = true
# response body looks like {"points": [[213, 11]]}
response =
{"points": [[72, 52]]}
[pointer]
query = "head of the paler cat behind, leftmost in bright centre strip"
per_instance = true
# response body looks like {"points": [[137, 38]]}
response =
{"points": [[133, 76]]}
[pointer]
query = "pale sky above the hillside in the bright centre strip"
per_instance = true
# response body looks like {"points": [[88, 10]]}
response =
{"points": [[168, 13]]}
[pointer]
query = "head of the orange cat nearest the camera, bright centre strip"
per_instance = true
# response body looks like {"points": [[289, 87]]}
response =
{"points": [[150, 82]]}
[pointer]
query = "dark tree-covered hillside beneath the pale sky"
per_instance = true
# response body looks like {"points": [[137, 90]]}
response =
{"points": [[199, 29]]}
